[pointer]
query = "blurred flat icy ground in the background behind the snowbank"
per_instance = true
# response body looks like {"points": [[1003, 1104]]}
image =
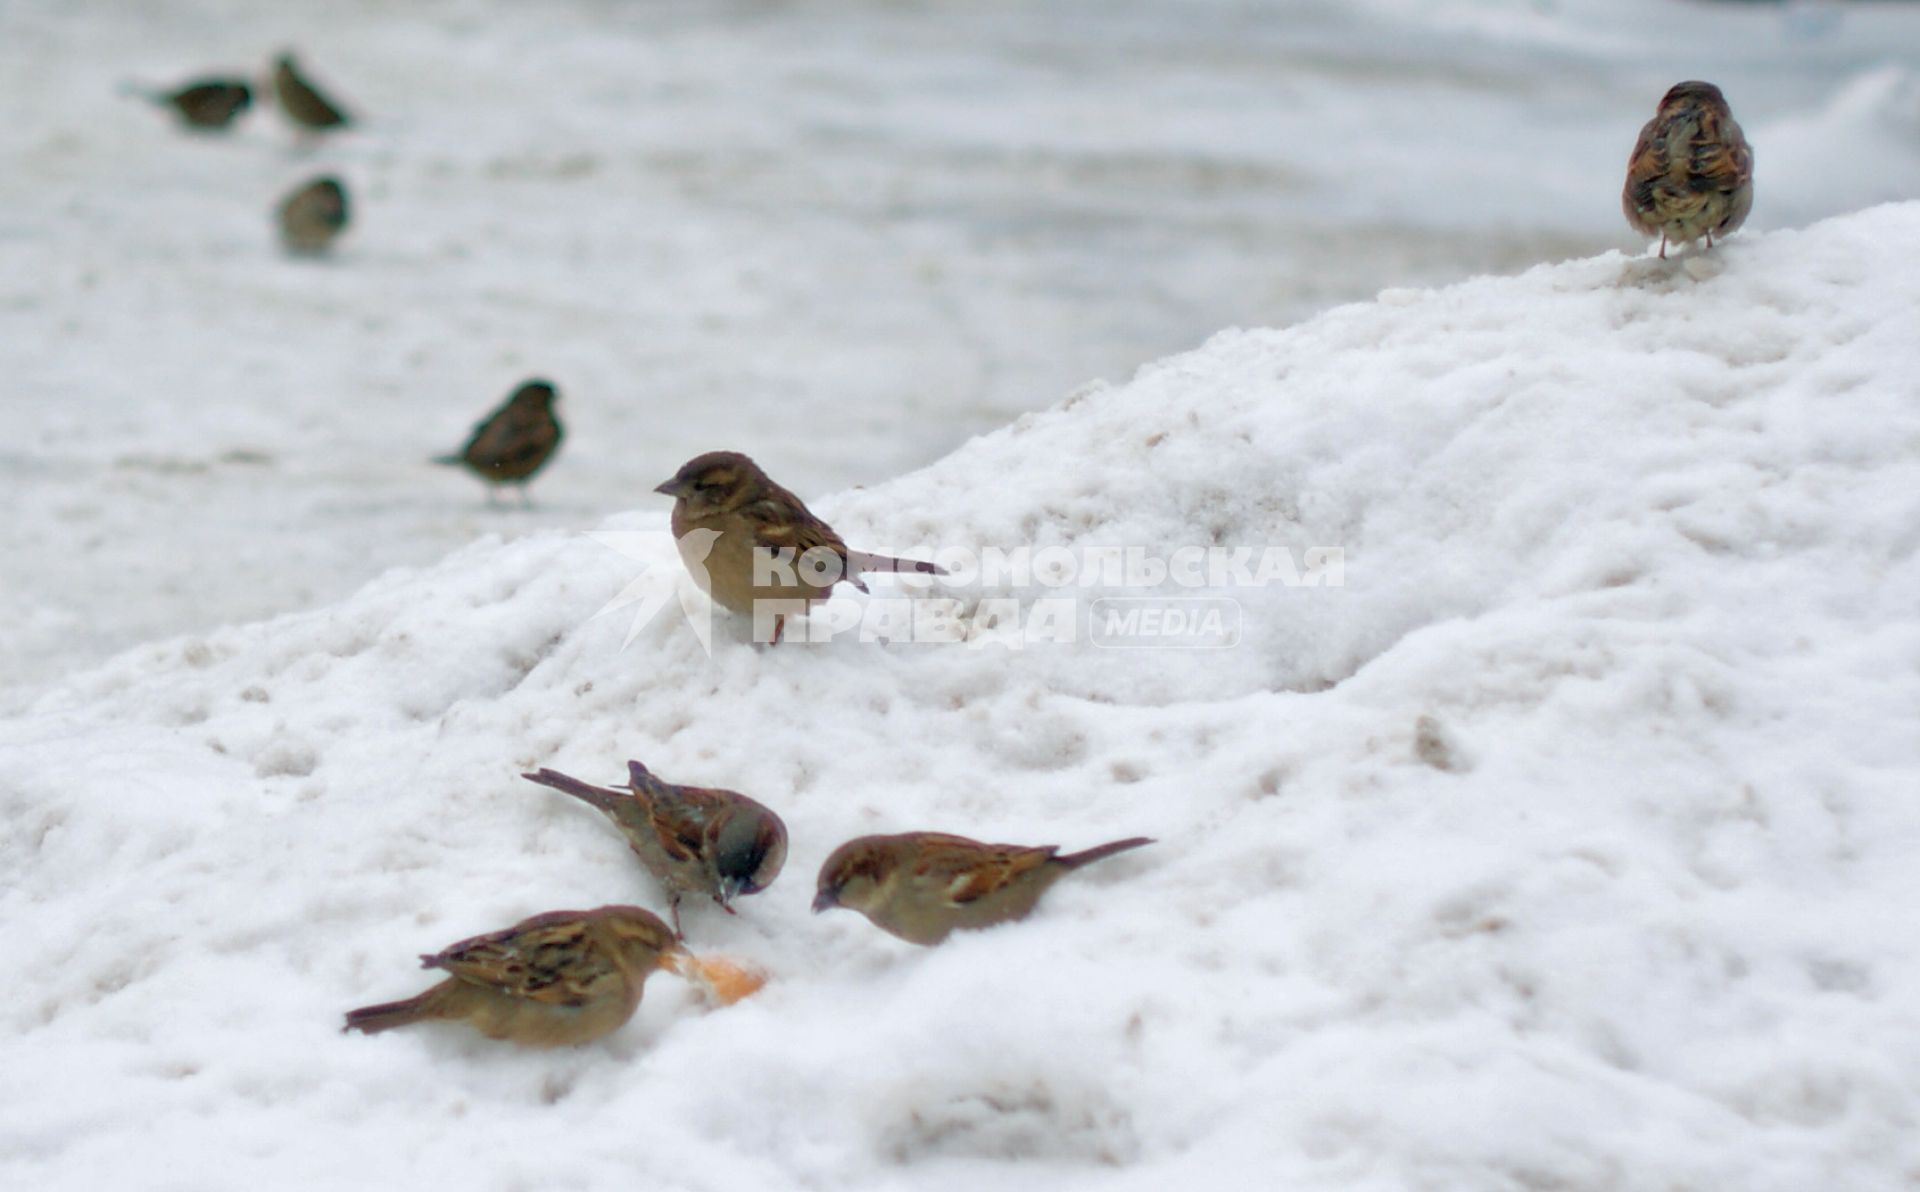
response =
{"points": [[842, 235]]}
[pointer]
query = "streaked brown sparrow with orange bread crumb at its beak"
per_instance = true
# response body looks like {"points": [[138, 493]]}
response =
{"points": [[554, 980]]}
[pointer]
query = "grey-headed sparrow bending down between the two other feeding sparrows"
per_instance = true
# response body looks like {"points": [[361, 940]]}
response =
{"points": [[692, 840]]}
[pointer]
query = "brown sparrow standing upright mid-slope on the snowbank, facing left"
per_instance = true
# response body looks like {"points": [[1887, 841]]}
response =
{"points": [[748, 515]]}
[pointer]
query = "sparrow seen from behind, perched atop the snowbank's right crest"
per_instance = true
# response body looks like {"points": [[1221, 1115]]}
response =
{"points": [[1692, 172]]}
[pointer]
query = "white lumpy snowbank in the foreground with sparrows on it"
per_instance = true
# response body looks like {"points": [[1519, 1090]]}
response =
{"points": [[1568, 846]]}
